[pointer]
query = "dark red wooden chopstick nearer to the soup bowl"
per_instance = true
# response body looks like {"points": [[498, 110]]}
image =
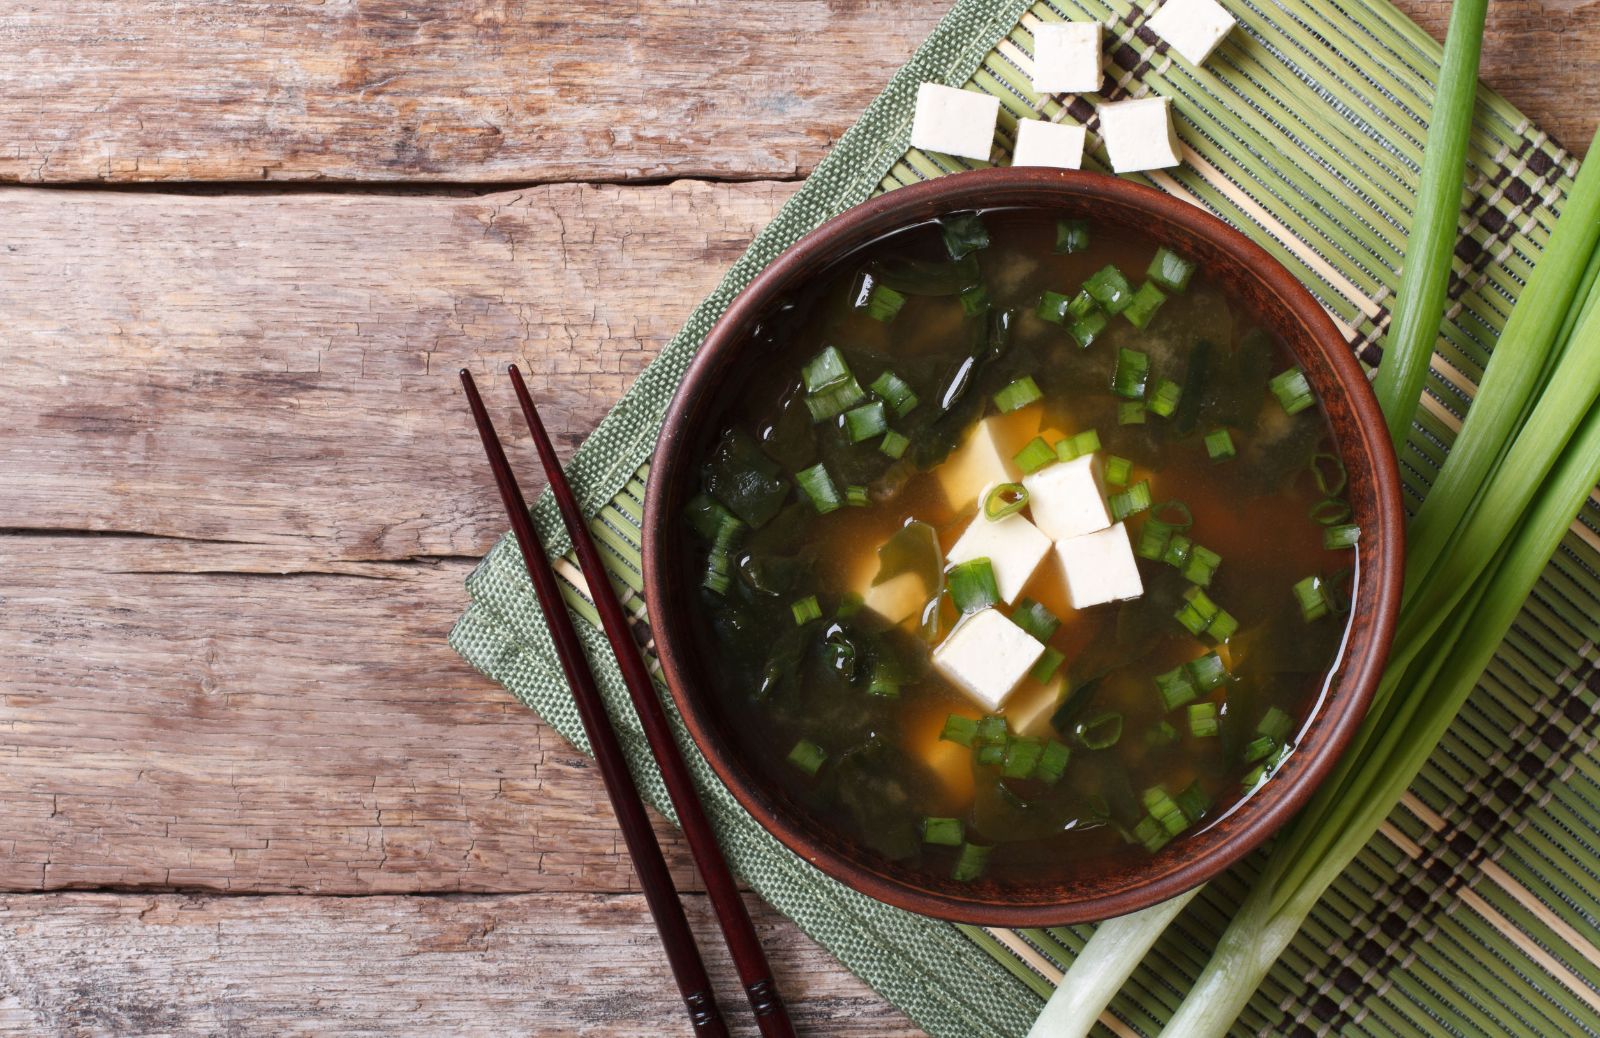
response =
{"points": [[732, 916]]}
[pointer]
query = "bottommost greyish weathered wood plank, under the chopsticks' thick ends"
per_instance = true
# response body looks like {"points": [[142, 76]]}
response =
{"points": [[521, 965]]}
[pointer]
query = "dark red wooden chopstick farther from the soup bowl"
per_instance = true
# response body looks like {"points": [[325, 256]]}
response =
{"points": [[654, 877]]}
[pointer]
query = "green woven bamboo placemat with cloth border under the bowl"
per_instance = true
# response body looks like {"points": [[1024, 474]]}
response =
{"points": [[1476, 909]]}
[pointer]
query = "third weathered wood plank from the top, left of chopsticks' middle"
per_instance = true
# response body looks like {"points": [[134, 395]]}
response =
{"points": [[214, 717]]}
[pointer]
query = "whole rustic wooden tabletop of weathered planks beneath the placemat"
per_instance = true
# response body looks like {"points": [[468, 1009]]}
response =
{"points": [[244, 247]]}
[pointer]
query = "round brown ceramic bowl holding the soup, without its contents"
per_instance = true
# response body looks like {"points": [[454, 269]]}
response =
{"points": [[1246, 273]]}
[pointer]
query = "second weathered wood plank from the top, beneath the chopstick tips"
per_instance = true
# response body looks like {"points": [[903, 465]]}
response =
{"points": [[281, 370]]}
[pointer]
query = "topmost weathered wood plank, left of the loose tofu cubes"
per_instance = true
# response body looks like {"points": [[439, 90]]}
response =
{"points": [[446, 90]]}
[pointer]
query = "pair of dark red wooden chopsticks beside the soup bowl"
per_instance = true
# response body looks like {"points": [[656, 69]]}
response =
{"points": [[654, 877]]}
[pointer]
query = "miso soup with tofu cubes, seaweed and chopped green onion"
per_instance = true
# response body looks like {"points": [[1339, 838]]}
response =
{"points": [[1023, 549]]}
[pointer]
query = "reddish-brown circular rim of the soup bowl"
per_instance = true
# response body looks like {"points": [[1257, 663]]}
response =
{"points": [[1380, 553]]}
